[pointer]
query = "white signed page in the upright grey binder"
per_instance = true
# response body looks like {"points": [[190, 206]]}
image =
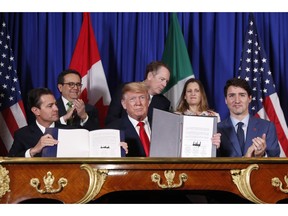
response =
{"points": [[196, 136]]}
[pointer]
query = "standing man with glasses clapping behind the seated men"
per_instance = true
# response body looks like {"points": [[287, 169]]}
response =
{"points": [[72, 109]]}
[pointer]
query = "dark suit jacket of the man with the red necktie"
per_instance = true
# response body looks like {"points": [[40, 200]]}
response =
{"points": [[135, 148]]}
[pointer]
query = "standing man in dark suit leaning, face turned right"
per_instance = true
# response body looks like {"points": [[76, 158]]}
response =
{"points": [[156, 78]]}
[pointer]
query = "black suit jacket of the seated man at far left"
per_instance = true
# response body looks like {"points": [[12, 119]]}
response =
{"points": [[26, 138]]}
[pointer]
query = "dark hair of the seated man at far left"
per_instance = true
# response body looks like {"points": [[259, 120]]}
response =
{"points": [[34, 96]]}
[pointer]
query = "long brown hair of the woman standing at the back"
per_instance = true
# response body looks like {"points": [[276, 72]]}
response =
{"points": [[183, 105]]}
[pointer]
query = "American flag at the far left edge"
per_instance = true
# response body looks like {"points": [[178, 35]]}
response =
{"points": [[12, 113]]}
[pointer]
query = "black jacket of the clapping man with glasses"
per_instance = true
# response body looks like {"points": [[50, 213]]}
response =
{"points": [[92, 122]]}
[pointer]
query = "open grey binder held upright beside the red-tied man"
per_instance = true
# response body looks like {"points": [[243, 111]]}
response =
{"points": [[175, 135]]}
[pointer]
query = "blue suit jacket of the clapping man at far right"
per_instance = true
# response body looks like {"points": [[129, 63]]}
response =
{"points": [[230, 146]]}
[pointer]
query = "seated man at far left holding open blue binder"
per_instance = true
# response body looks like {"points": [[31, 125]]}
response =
{"points": [[30, 140]]}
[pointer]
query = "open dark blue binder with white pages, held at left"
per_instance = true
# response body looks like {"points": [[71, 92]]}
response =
{"points": [[84, 143]]}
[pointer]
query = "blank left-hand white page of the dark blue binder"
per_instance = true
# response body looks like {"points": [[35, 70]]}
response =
{"points": [[73, 143]]}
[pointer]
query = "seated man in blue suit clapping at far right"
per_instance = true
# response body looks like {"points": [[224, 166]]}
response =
{"points": [[259, 136]]}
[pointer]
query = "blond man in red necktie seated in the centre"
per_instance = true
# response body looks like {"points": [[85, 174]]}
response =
{"points": [[135, 125]]}
